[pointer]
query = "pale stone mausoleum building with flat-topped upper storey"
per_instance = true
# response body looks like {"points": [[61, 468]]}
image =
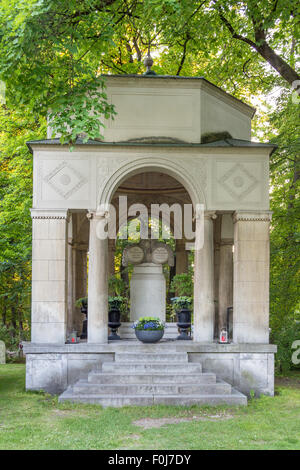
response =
{"points": [[154, 151]]}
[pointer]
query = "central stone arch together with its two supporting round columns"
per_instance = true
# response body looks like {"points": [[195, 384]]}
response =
{"points": [[150, 181]]}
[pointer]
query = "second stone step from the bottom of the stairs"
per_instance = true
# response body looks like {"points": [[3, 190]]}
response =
{"points": [[155, 389]]}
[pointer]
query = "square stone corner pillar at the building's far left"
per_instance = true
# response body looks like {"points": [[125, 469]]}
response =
{"points": [[49, 275]]}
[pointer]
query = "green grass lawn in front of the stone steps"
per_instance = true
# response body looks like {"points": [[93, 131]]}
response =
{"points": [[31, 420]]}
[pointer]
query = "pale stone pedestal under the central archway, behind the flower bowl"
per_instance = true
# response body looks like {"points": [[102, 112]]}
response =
{"points": [[147, 292]]}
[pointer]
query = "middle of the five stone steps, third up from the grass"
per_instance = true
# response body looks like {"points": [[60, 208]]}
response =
{"points": [[153, 378]]}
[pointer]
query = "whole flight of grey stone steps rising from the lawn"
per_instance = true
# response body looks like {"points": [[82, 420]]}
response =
{"points": [[147, 378]]}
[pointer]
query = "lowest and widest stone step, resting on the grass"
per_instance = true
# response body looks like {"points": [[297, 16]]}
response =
{"points": [[235, 398]]}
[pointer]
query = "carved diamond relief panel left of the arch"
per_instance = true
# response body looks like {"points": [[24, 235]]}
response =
{"points": [[65, 179]]}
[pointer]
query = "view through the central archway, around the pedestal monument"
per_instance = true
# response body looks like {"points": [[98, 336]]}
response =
{"points": [[151, 189]]}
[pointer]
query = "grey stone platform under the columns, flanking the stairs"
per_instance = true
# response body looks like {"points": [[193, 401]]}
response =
{"points": [[246, 367]]}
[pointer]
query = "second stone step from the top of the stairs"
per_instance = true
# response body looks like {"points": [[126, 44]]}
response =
{"points": [[175, 367]]}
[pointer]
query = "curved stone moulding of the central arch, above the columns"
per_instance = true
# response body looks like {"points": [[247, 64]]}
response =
{"points": [[150, 164]]}
